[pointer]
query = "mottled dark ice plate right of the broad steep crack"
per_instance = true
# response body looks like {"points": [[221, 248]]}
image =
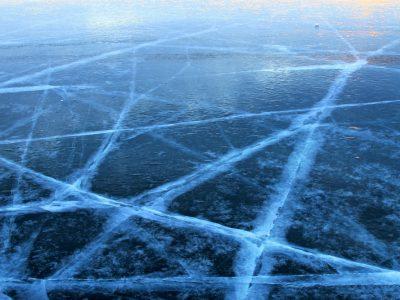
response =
{"points": [[349, 207]]}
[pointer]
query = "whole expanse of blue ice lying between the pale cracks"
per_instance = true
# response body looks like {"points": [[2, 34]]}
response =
{"points": [[163, 156]]}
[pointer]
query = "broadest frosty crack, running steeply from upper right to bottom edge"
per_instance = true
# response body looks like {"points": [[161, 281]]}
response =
{"points": [[296, 170]]}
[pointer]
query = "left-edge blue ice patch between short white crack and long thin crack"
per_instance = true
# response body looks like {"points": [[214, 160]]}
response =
{"points": [[66, 111]]}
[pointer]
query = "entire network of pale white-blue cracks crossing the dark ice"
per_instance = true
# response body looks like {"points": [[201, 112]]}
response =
{"points": [[295, 172]]}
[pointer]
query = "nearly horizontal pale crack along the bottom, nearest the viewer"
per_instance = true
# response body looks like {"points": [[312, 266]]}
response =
{"points": [[183, 283]]}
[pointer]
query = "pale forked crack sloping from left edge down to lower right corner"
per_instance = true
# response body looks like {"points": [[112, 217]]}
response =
{"points": [[93, 201]]}
